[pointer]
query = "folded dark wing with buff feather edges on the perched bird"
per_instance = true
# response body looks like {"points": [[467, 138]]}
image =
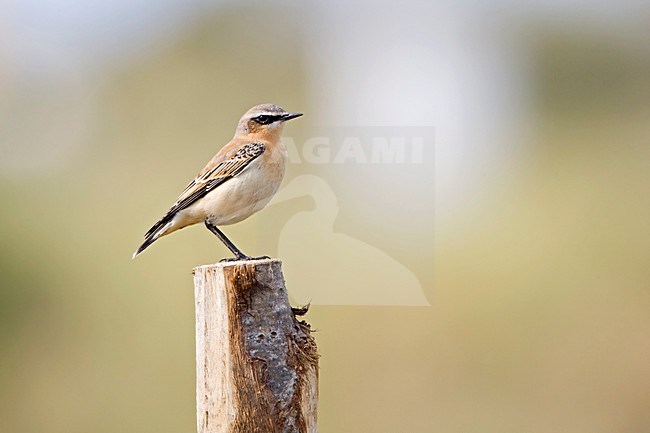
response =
{"points": [[218, 171]]}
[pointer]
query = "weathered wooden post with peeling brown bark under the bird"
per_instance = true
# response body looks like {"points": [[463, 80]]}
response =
{"points": [[256, 364]]}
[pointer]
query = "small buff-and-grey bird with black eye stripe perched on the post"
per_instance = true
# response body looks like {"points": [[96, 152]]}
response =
{"points": [[239, 181]]}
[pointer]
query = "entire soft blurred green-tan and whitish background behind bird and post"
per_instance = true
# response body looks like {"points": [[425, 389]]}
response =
{"points": [[534, 253]]}
